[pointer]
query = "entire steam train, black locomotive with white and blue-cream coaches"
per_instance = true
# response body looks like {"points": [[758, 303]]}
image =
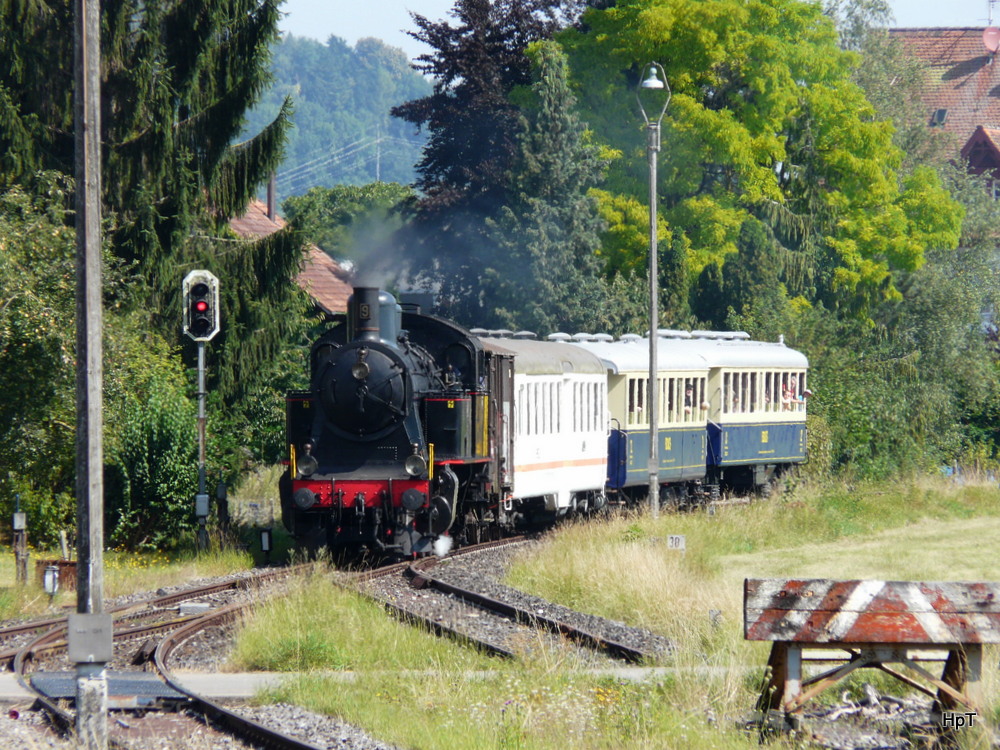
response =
{"points": [[416, 433]]}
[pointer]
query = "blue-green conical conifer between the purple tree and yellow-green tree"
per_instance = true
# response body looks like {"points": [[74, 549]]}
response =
{"points": [[546, 275]]}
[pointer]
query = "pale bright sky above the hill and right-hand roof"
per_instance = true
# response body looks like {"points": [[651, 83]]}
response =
{"points": [[386, 19]]}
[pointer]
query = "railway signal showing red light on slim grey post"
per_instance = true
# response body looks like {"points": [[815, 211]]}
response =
{"points": [[201, 323]]}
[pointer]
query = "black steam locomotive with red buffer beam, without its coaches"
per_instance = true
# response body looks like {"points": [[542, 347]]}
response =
{"points": [[389, 448]]}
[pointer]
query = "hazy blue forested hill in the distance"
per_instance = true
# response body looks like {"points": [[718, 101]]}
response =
{"points": [[342, 95]]}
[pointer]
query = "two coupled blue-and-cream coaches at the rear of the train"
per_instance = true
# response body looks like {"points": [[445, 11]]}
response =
{"points": [[731, 412]]}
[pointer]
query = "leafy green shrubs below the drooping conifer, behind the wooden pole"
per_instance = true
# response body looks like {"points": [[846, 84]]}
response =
{"points": [[148, 413]]}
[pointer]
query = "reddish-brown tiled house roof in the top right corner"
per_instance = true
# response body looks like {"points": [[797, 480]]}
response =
{"points": [[963, 80]]}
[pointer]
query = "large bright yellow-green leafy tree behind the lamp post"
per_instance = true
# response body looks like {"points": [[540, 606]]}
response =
{"points": [[764, 121]]}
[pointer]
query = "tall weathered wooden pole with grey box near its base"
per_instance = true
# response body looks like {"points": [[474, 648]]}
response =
{"points": [[91, 680]]}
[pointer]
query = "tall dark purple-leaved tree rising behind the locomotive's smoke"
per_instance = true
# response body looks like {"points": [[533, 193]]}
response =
{"points": [[473, 130]]}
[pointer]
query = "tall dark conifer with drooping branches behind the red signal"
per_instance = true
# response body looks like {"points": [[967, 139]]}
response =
{"points": [[177, 78]]}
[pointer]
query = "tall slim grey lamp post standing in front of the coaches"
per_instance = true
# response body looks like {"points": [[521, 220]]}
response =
{"points": [[654, 80]]}
